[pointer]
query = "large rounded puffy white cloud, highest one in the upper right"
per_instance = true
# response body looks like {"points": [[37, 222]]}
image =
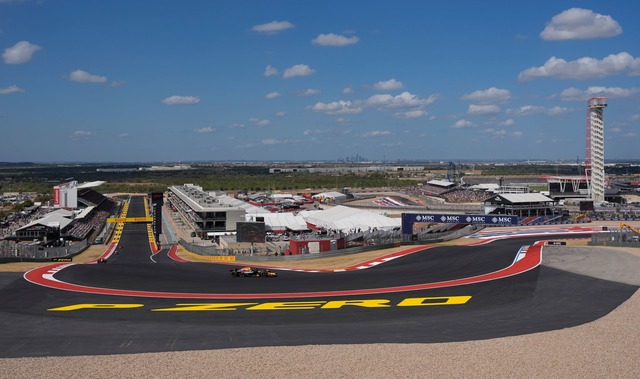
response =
{"points": [[577, 23]]}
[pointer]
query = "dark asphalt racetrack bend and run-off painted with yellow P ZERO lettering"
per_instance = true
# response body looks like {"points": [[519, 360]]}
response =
{"points": [[233, 312]]}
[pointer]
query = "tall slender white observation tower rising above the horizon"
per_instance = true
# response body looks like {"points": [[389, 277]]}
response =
{"points": [[594, 157]]}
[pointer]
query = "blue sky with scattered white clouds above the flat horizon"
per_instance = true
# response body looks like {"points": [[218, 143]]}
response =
{"points": [[122, 81]]}
